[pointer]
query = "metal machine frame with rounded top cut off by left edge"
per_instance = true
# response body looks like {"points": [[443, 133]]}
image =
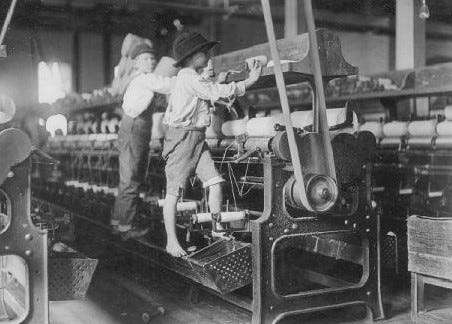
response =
{"points": [[21, 237]]}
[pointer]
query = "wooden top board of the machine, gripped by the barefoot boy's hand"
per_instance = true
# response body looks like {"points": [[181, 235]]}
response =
{"points": [[295, 50]]}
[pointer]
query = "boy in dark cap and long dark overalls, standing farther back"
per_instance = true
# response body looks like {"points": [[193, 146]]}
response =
{"points": [[134, 136]]}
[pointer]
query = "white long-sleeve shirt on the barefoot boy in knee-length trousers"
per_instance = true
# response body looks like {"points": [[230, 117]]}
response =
{"points": [[187, 105]]}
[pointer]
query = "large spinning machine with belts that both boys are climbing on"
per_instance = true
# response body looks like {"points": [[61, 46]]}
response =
{"points": [[299, 232]]}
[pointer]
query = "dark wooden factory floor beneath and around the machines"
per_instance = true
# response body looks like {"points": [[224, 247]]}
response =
{"points": [[120, 296]]}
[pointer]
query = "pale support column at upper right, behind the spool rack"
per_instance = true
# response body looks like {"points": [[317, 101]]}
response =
{"points": [[410, 46]]}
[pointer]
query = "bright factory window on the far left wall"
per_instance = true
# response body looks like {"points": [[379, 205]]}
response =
{"points": [[54, 81]]}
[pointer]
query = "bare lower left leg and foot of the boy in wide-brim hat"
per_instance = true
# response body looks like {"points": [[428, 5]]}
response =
{"points": [[169, 215]]}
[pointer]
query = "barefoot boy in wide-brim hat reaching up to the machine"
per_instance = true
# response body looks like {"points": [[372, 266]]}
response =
{"points": [[187, 117]]}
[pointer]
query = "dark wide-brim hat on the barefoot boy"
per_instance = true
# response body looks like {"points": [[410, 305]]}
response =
{"points": [[187, 44]]}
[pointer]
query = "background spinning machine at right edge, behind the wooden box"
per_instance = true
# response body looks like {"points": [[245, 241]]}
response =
{"points": [[412, 175]]}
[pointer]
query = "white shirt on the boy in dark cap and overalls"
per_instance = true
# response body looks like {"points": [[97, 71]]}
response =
{"points": [[140, 92]]}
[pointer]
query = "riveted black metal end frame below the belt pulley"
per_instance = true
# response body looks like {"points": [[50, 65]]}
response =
{"points": [[276, 224]]}
